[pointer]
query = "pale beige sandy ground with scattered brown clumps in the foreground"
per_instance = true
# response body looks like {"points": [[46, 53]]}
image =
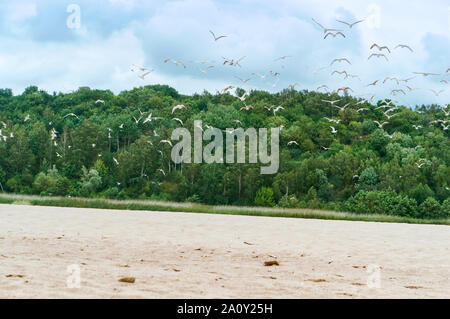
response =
{"points": [[183, 255]]}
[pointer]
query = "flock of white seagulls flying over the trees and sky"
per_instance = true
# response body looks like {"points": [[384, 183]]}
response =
{"points": [[377, 51]]}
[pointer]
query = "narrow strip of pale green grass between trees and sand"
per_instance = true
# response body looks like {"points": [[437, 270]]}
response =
{"points": [[150, 205]]}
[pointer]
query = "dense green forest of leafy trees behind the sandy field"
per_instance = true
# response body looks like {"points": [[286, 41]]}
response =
{"points": [[95, 144]]}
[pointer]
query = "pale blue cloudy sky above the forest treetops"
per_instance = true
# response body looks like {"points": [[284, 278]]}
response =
{"points": [[61, 45]]}
